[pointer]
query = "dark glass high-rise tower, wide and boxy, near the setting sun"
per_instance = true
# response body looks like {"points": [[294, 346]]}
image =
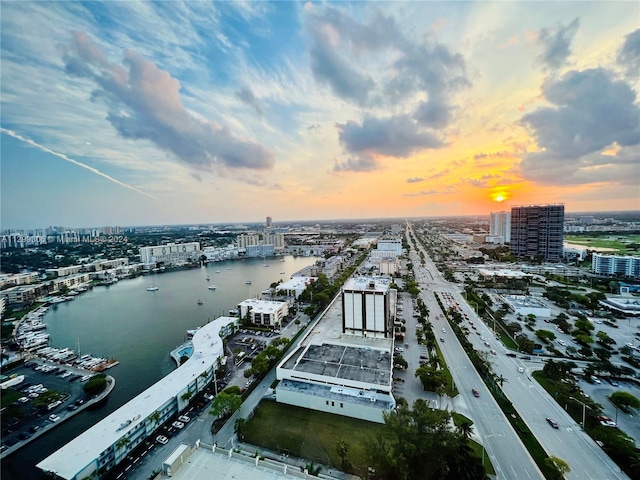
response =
{"points": [[536, 232]]}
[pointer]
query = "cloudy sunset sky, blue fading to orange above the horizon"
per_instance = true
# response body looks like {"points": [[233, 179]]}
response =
{"points": [[139, 113]]}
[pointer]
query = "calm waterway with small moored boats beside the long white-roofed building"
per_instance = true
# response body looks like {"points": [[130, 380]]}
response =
{"points": [[139, 328]]}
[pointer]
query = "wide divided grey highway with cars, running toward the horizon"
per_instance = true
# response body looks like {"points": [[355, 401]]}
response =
{"points": [[533, 403]]}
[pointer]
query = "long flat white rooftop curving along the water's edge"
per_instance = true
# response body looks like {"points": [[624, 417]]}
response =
{"points": [[73, 457]]}
